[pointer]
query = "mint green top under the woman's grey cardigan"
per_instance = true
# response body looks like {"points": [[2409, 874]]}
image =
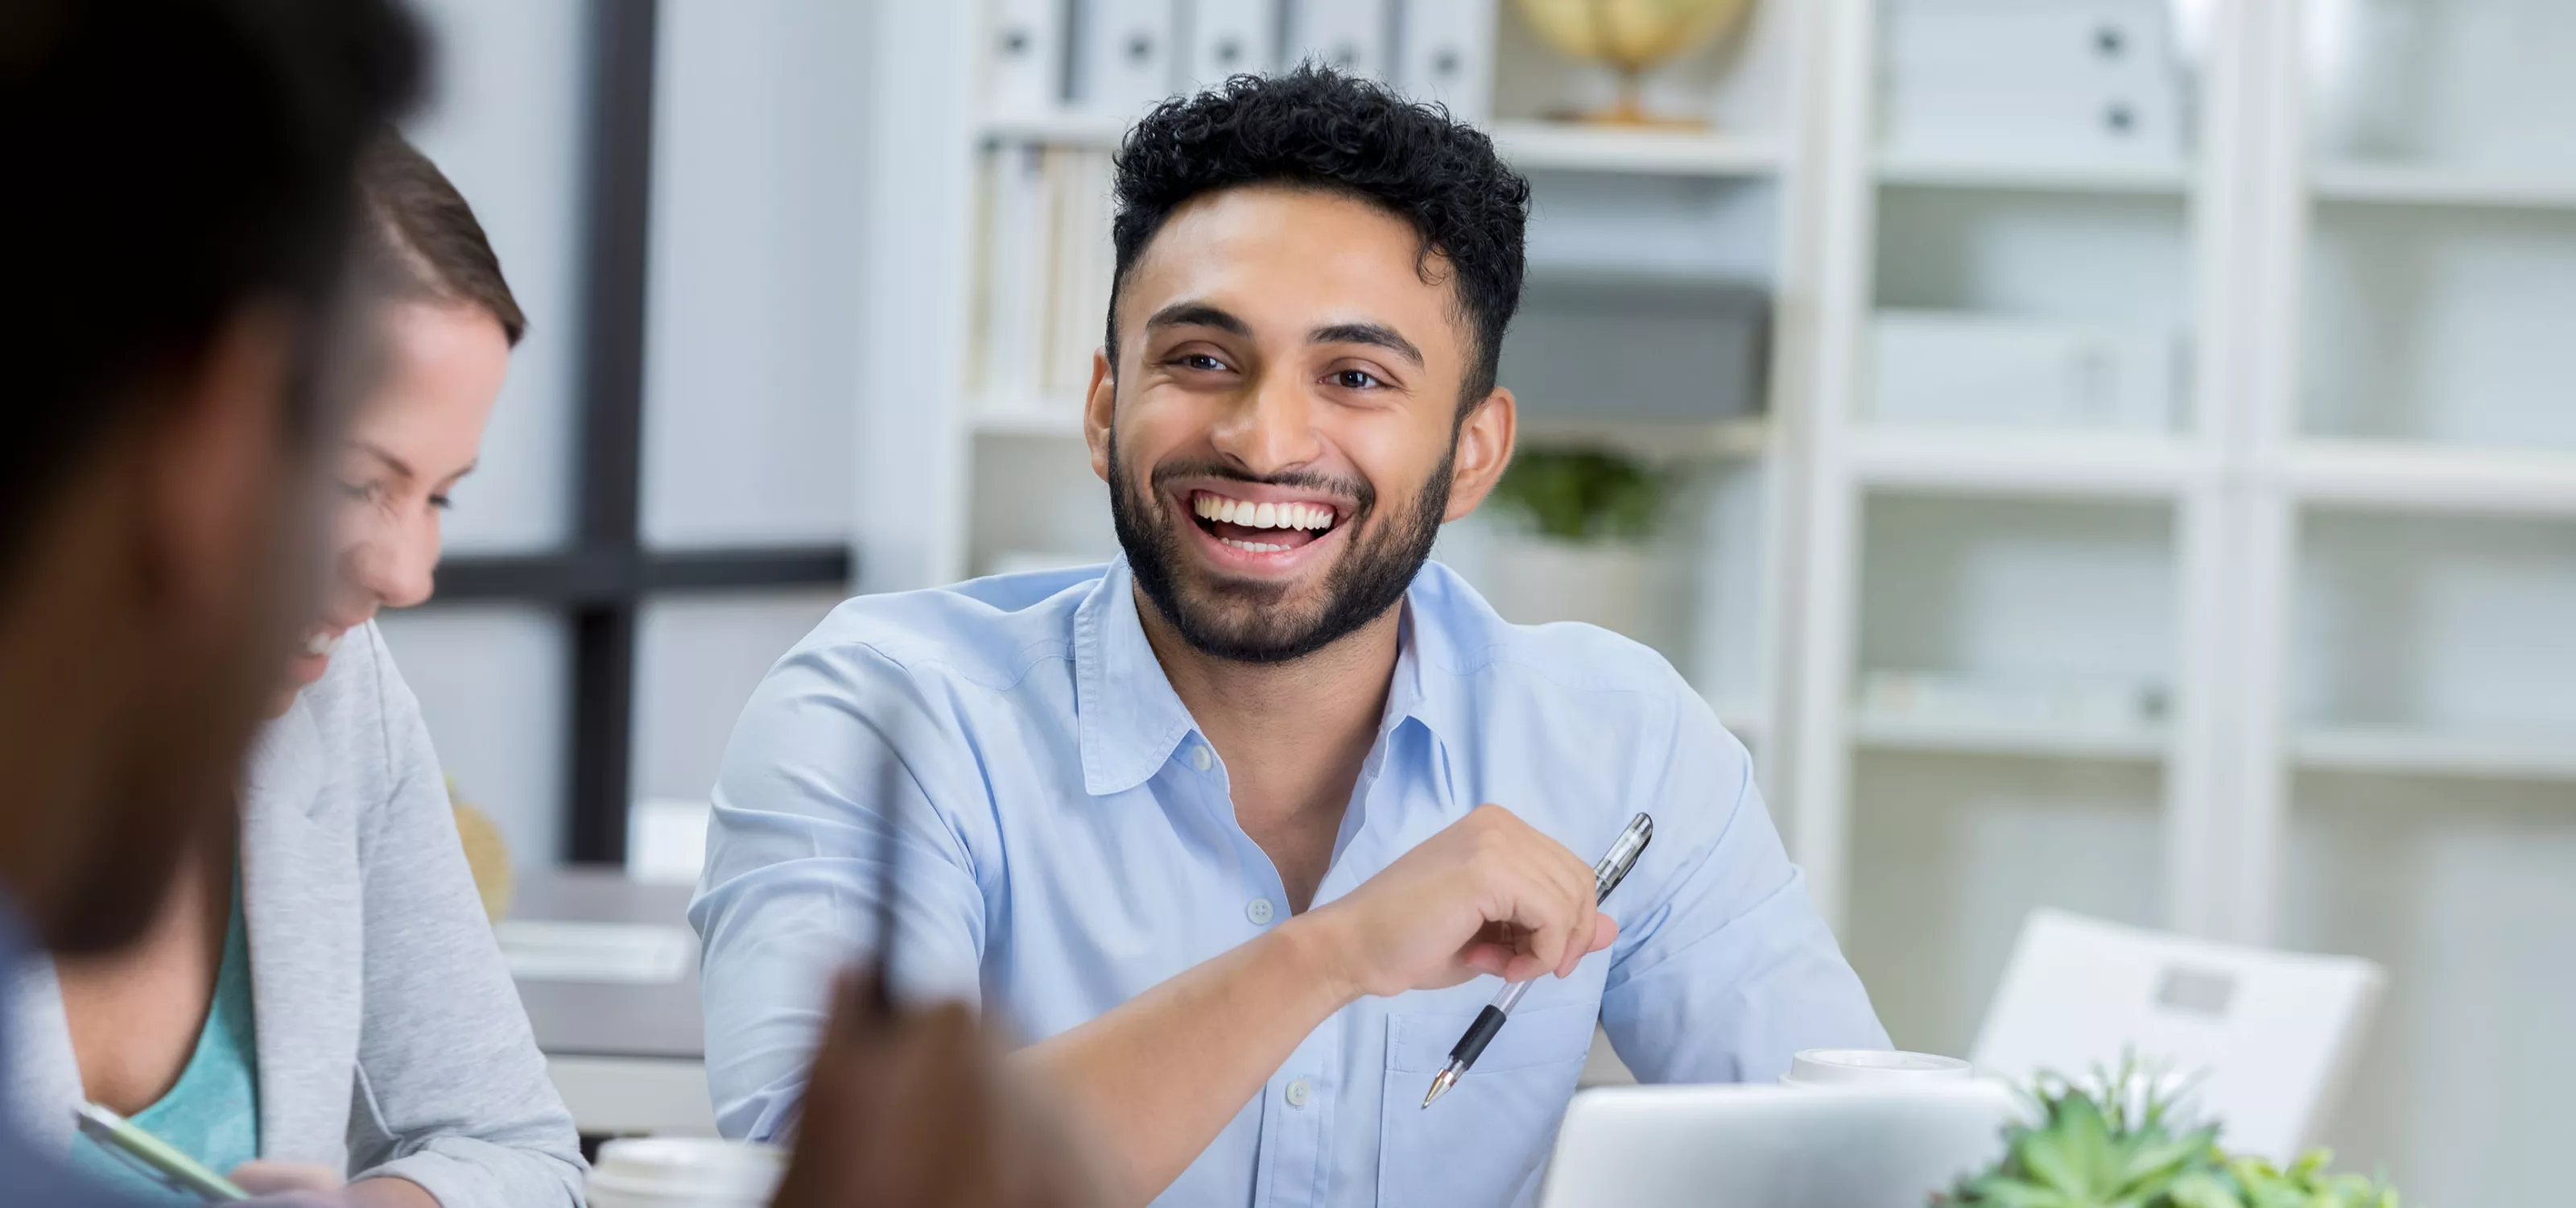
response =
{"points": [[215, 1109]]}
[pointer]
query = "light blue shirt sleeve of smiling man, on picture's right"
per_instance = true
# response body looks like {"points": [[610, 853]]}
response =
{"points": [[1727, 970]]}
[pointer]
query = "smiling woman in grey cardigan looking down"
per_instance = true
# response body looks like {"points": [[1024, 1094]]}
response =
{"points": [[321, 996]]}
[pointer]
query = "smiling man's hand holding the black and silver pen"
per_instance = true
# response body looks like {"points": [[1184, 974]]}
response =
{"points": [[1488, 895]]}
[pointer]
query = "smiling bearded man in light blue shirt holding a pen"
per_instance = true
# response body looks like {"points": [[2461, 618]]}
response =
{"points": [[1248, 826]]}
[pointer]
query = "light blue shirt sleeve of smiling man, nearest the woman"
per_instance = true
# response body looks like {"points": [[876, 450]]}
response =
{"points": [[833, 746]]}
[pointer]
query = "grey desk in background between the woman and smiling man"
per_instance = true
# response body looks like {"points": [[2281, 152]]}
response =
{"points": [[583, 1019]]}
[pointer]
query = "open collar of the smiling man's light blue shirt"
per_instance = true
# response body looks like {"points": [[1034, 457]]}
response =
{"points": [[1132, 720]]}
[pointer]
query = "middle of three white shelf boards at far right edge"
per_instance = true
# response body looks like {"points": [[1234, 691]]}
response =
{"points": [[2400, 475]]}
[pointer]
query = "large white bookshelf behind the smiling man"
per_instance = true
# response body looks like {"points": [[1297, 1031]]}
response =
{"points": [[2345, 565]]}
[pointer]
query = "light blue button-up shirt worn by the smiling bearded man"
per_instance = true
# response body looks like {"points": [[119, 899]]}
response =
{"points": [[1070, 844]]}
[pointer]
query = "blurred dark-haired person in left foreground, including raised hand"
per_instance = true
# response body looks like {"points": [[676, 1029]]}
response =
{"points": [[179, 212]]}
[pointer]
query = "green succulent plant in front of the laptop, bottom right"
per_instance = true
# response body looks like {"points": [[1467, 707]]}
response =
{"points": [[2116, 1145]]}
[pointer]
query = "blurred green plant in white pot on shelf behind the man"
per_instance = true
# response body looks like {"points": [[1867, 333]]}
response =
{"points": [[1575, 542]]}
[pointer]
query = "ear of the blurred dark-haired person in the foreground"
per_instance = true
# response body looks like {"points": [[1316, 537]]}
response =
{"points": [[213, 462]]}
